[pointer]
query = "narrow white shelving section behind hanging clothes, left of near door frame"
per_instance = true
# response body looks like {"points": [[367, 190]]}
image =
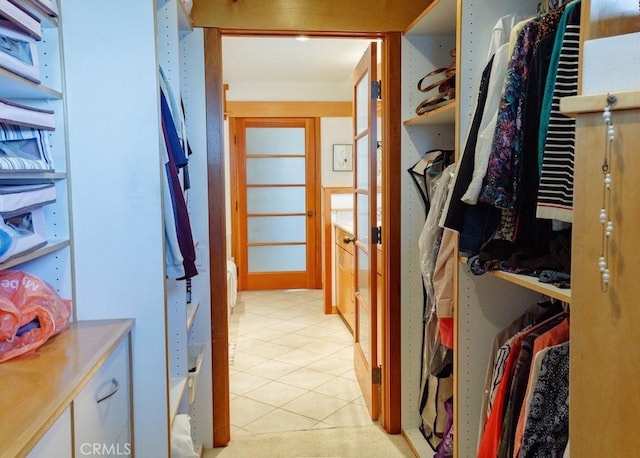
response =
{"points": [[181, 56]]}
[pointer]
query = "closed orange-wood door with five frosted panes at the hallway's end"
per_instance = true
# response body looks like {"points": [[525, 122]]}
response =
{"points": [[275, 195]]}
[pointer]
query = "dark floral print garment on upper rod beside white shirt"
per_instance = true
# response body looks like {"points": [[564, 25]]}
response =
{"points": [[500, 182]]}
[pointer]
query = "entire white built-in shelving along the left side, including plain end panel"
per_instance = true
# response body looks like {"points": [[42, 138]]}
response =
{"points": [[102, 82]]}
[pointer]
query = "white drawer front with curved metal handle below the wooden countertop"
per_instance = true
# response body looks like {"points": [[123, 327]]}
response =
{"points": [[101, 409]]}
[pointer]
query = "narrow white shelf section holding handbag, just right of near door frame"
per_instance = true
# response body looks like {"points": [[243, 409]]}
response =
{"points": [[426, 45]]}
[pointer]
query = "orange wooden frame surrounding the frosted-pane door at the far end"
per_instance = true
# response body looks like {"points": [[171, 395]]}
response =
{"points": [[314, 167]]}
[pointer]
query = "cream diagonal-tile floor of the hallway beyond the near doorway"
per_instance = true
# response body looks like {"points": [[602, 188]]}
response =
{"points": [[291, 366]]}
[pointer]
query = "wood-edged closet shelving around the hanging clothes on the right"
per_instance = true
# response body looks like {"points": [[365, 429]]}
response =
{"points": [[485, 303]]}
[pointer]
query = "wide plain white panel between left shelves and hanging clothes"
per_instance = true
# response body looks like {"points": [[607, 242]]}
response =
{"points": [[116, 181]]}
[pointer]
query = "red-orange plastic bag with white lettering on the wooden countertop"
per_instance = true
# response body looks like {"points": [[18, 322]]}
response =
{"points": [[31, 312]]}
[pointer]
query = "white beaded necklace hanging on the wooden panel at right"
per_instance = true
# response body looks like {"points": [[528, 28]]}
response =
{"points": [[605, 210]]}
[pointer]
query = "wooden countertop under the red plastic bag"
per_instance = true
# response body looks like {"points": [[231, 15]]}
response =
{"points": [[37, 388]]}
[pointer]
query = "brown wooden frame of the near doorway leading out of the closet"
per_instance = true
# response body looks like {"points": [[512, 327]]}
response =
{"points": [[392, 172]]}
